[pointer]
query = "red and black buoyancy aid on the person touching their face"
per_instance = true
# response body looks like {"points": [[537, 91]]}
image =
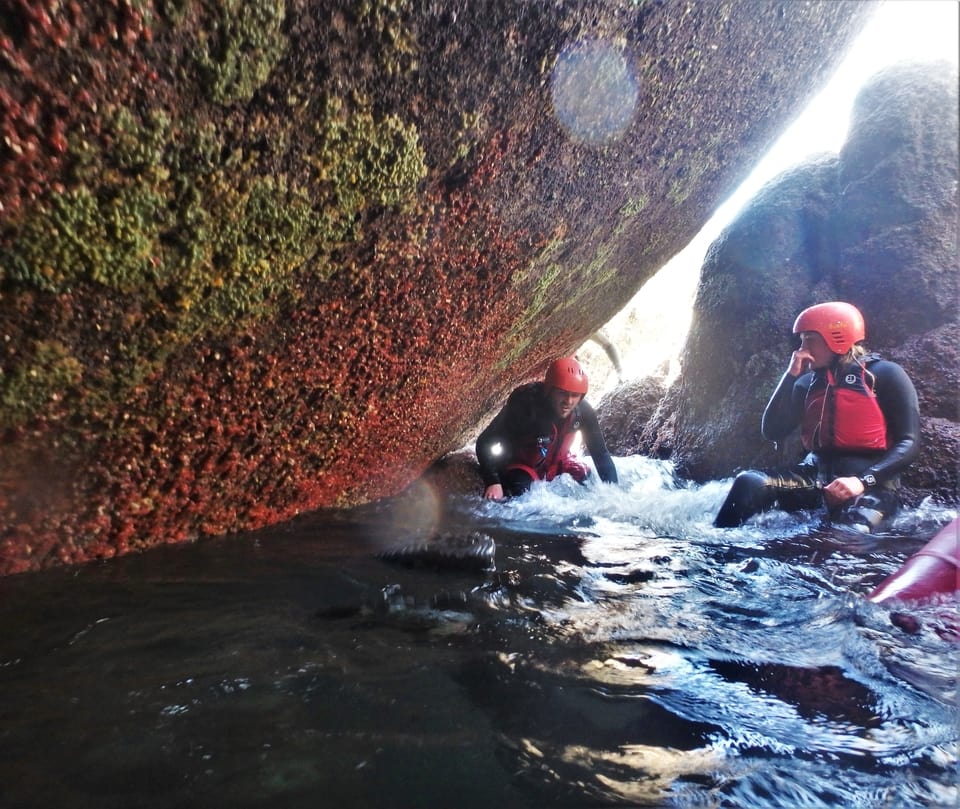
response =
{"points": [[841, 411]]}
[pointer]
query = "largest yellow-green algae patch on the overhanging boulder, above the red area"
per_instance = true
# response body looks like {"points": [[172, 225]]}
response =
{"points": [[179, 226]]}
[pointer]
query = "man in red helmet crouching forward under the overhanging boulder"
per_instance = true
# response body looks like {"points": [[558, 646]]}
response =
{"points": [[532, 437]]}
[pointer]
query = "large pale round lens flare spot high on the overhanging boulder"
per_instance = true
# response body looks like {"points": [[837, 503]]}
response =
{"points": [[594, 91]]}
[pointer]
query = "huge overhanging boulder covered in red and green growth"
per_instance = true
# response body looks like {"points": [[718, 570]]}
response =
{"points": [[259, 258]]}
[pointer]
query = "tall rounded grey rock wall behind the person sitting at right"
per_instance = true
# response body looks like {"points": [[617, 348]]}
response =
{"points": [[875, 225]]}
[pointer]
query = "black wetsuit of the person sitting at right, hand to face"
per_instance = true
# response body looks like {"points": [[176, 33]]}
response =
{"points": [[801, 487]]}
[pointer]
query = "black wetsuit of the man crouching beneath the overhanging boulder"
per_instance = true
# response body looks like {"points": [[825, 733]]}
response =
{"points": [[525, 425]]}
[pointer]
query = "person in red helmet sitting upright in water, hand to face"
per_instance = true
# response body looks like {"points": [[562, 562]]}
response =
{"points": [[859, 420]]}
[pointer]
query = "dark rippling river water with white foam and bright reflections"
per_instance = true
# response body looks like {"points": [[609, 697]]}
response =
{"points": [[624, 652]]}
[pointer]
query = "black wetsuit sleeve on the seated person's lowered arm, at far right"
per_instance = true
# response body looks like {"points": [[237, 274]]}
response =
{"points": [[897, 398]]}
